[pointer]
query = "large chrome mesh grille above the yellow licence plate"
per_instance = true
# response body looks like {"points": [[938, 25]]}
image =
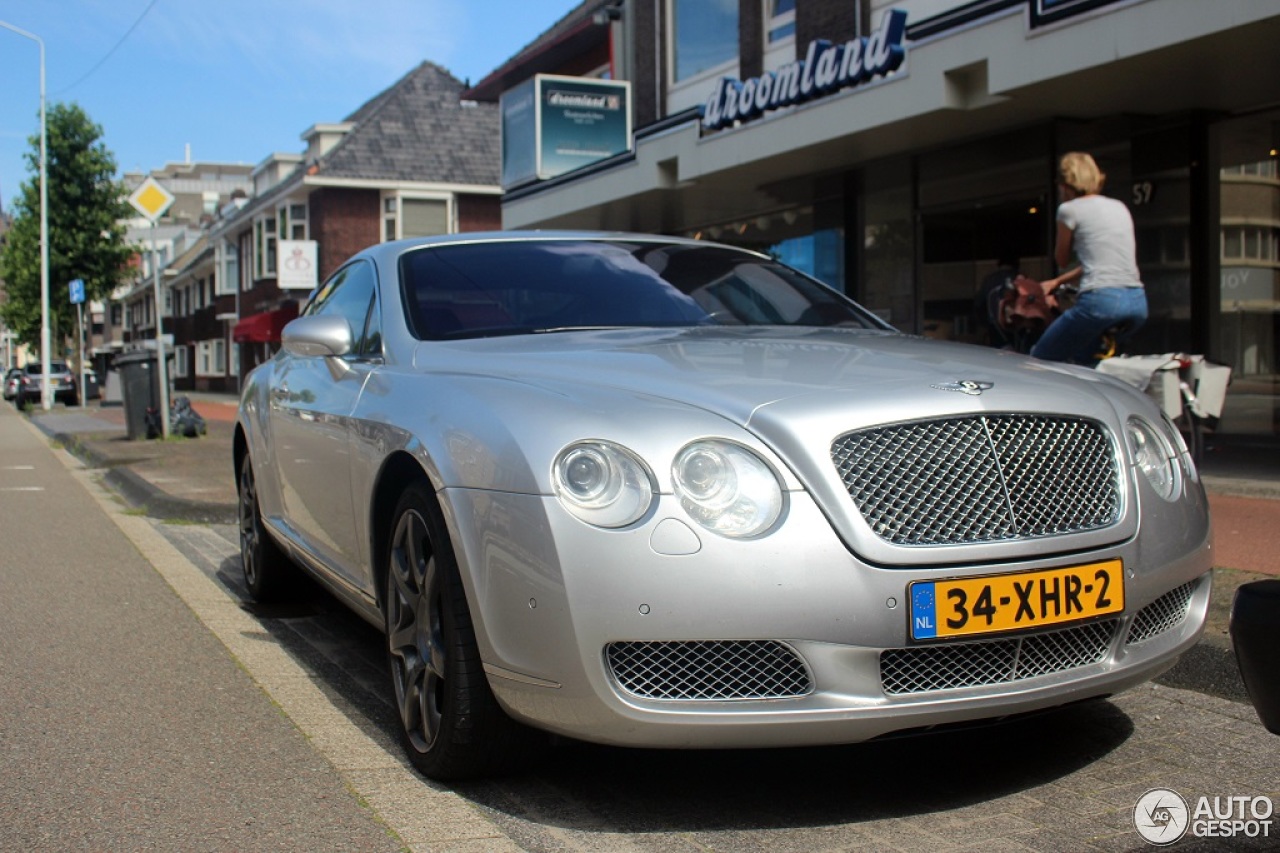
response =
{"points": [[982, 478]]}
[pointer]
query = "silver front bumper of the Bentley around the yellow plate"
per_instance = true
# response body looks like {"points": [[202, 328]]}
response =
{"points": [[555, 600]]}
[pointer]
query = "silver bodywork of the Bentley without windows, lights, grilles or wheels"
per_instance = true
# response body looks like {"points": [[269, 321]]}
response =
{"points": [[486, 418]]}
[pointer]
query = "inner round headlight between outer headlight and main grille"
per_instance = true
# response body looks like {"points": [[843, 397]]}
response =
{"points": [[728, 489]]}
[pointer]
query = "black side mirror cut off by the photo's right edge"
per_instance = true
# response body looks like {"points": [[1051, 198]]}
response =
{"points": [[1256, 637]]}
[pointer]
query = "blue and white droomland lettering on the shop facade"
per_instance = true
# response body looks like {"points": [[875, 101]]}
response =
{"points": [[826, 69]]}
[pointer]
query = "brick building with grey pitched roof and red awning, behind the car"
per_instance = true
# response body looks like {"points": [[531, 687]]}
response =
{"points": [[417, 159]]}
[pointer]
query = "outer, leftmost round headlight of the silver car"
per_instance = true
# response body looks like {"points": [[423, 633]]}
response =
{"points": [[602, 483]]}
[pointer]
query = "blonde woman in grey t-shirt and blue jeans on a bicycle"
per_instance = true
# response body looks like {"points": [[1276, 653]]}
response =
{"points": [[1100, 234]]}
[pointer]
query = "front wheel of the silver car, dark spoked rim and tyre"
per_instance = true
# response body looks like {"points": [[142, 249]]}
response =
{"points": [[451, 724]]}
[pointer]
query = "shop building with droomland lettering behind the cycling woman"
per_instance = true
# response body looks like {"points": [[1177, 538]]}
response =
{"points": [[899, 149]]}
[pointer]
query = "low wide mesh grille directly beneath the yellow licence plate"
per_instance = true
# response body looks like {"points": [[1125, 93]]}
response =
{"points": [[979, 664]]}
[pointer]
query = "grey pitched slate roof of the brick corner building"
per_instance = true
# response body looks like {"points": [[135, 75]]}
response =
{"points": [[419, 130]]}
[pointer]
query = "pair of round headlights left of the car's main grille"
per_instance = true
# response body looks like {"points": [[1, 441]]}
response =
{"points": [[724, 487]]}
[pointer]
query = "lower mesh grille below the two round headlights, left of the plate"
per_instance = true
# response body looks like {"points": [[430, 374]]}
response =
{"points": [[710, 670]]}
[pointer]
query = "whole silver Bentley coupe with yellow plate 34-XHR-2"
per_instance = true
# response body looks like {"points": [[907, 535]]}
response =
{"points": [[656, 492]]}
